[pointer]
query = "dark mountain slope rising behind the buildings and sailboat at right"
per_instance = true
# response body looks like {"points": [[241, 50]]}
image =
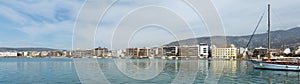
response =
{"points": [[290, 38]]}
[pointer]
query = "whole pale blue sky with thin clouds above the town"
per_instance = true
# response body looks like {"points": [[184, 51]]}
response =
{"points": [[56, 23]]}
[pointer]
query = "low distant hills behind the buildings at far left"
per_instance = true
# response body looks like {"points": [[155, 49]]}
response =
{"points": [[25, 49]]}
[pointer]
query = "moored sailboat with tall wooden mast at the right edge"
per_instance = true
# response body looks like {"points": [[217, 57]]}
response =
{"points": [[282, 63]]}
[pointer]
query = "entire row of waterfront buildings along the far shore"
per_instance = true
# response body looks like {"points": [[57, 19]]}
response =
{"points": [[202, 50]]}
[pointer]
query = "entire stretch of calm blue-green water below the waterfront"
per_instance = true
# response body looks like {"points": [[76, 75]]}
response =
{"points": [[129, 71]]}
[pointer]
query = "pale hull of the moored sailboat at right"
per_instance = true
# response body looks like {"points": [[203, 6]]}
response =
{"points": [[271, 66]]}
